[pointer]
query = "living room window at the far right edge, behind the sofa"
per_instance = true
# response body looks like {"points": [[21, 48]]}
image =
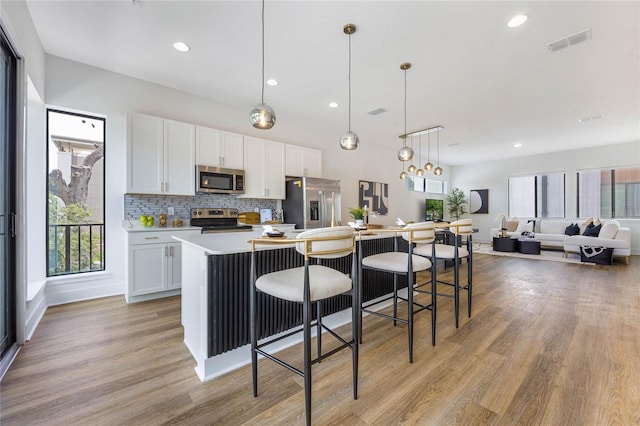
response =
{"points": [[609, 193]]}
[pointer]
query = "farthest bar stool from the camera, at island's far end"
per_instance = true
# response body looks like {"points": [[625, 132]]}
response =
{"points": [[459, 228]]}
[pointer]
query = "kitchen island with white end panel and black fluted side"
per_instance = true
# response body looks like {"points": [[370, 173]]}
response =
{"points": [[215, 295]]}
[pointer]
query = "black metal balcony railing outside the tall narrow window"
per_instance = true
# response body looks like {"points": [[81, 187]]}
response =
{"points": [[75, 248]]}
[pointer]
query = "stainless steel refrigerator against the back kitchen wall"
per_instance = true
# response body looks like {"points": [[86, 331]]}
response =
{"points": [[312, 203]]}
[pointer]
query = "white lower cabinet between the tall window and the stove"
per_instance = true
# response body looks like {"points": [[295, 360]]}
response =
{"points": [[154, 264]]}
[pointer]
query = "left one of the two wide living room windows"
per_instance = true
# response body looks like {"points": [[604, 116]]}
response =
{"points": [[537, 196]]}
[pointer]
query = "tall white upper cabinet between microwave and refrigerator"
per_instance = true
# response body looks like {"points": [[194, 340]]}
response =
{"points": [[264, 169]]}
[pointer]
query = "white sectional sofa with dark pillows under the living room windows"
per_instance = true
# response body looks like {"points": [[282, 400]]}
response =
{"points": [[551, 234]]}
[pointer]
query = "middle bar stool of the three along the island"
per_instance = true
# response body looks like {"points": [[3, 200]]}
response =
{"points": [[401, 263]]}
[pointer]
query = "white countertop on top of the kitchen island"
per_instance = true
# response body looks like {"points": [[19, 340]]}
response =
{"points": [[237, 242]]}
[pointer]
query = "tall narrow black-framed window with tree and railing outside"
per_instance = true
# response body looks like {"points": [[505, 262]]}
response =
{"points": [[75, 205]]}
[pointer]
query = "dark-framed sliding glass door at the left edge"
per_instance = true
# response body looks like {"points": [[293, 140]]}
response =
{"points": [[7, 197]]}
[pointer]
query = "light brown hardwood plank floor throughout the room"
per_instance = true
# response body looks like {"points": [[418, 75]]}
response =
{"points": [[549, 343]]}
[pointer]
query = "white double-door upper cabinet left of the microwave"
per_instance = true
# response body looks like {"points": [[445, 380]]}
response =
{"points": [[160, 156]]}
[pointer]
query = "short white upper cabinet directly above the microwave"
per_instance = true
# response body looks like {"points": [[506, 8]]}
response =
{"points": [[218, 148]]}
